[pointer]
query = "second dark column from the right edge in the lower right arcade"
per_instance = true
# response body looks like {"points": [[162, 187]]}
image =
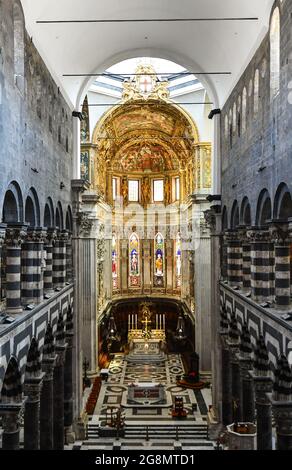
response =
{"points": [[263, 385]]}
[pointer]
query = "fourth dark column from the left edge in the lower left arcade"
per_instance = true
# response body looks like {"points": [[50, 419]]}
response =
{"points": [[58, 401]]}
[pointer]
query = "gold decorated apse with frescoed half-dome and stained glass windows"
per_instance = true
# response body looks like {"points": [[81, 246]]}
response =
{"points": [[146, 139]]}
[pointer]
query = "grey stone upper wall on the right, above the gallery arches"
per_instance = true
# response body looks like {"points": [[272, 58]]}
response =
{"points": [[261, 156]]}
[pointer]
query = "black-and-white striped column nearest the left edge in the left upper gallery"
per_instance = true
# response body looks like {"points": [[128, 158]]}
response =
{"points": [[15, 234]]}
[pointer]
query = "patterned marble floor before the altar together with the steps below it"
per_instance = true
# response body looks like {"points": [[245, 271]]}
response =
{"points": [[159, 421]]}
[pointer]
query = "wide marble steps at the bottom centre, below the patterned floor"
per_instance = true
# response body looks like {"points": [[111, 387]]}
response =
{"points": [[155, 436]]}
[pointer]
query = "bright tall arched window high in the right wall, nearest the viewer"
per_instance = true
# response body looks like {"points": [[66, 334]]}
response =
{"points": [[275, 53]]}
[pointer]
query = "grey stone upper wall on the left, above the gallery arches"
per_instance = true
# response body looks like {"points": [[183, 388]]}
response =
{"points": [[35, 120]]}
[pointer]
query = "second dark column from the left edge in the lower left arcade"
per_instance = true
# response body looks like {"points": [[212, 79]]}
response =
{"points": [[32, 390]]}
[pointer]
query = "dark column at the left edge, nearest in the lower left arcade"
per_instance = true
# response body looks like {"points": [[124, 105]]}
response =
{"points": [[10, 413]]}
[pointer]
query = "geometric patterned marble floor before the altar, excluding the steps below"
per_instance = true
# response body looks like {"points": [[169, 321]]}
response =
{"points": [[122, 373]]}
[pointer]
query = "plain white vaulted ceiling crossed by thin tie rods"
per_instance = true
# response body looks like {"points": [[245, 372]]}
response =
{"points": [[85, 48]]}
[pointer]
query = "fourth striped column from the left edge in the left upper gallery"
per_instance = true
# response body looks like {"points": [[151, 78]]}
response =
{"points": [[59, 260]]}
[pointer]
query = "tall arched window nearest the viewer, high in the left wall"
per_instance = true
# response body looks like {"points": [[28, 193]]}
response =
{"points": [[18, 25]]}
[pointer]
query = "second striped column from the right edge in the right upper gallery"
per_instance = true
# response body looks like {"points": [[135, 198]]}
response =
{"points": [[261, 264]]}
